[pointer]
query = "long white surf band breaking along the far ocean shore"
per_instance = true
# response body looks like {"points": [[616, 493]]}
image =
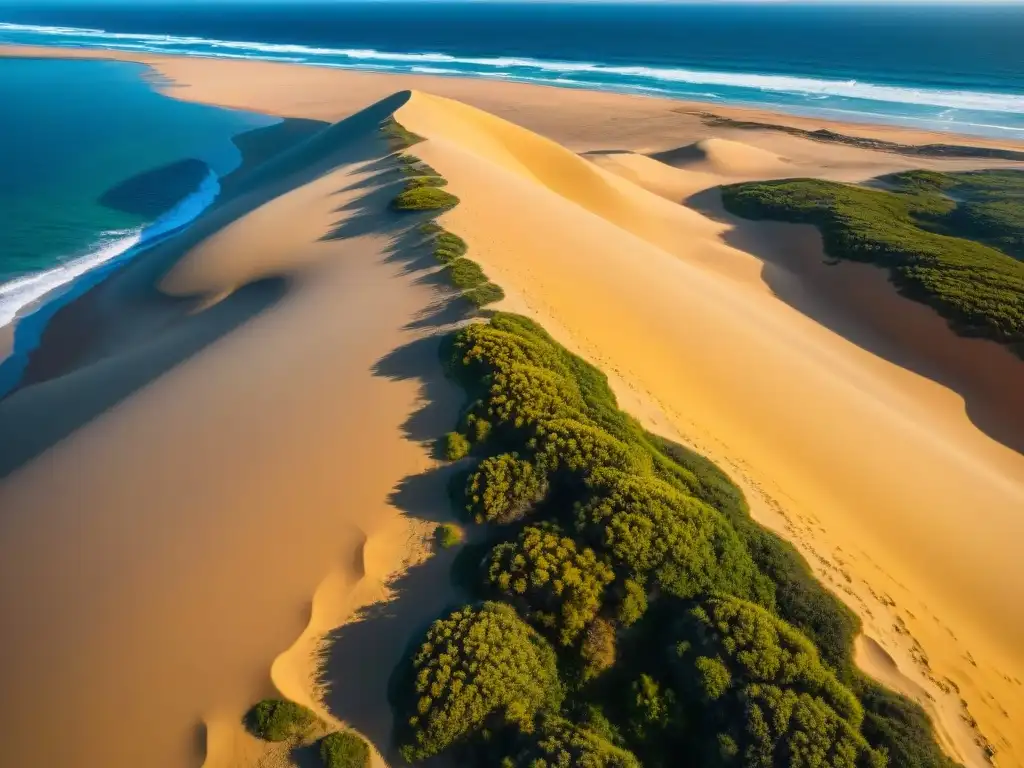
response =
{"points": [[810, 88]]}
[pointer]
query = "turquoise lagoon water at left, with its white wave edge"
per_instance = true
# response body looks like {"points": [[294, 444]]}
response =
{"points": [[71, 133]]}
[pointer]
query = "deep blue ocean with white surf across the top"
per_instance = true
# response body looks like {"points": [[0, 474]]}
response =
{"points": [[956, 68]]}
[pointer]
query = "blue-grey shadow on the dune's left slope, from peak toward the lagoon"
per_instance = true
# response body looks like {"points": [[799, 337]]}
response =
{"points": [[123, 333]]}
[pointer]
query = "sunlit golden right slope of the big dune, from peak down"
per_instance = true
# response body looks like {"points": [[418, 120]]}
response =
{"points": [[906, 506]]}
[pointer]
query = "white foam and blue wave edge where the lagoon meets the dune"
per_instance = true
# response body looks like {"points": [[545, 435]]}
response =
{"points": [[45, 293]]}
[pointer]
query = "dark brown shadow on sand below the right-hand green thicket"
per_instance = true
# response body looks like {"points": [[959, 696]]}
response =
{"points": [[797, 270]]}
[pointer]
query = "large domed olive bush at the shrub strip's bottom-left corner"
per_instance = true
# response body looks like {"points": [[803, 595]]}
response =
{"points": [[479, 668]]}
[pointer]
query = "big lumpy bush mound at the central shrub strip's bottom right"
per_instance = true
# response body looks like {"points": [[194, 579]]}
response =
{"points": [[765, 695]]}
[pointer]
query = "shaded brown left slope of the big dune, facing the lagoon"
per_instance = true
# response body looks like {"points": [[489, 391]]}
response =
{"points": [[163, 549]]}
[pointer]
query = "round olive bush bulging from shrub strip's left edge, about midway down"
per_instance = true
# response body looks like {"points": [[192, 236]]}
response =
{"points": [[504, 489]]}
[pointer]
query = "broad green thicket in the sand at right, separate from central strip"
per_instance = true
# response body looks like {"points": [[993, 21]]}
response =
{"points": [[949, 241]]}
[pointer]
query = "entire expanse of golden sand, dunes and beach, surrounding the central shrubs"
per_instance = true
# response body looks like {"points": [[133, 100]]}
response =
{"points": [[242, 420]]}
